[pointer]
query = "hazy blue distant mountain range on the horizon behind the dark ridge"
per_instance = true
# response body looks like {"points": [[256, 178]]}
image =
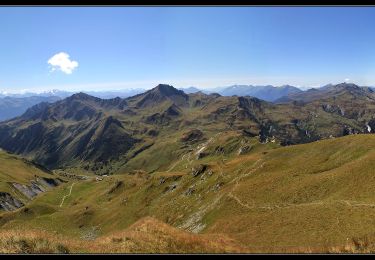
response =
{"points": [[13, 105]]}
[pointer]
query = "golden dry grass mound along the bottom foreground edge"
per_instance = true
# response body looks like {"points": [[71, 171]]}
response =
{"points": [[148, 235]]}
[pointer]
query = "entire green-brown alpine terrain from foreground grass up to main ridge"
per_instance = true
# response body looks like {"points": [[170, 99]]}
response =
{"points": [[164, 171]]}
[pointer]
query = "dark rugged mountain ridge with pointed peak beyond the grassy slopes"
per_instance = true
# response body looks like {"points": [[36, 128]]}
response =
{"points": [[72, 128]]}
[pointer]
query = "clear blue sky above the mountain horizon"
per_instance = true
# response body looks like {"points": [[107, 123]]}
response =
{"points": [[126, 47]]}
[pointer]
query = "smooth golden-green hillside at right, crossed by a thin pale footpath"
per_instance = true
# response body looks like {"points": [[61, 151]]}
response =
{"points": [[316, 194]]}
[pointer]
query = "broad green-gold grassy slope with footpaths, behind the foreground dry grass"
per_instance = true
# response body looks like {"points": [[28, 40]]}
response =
{"points": [[305, 197]]}
